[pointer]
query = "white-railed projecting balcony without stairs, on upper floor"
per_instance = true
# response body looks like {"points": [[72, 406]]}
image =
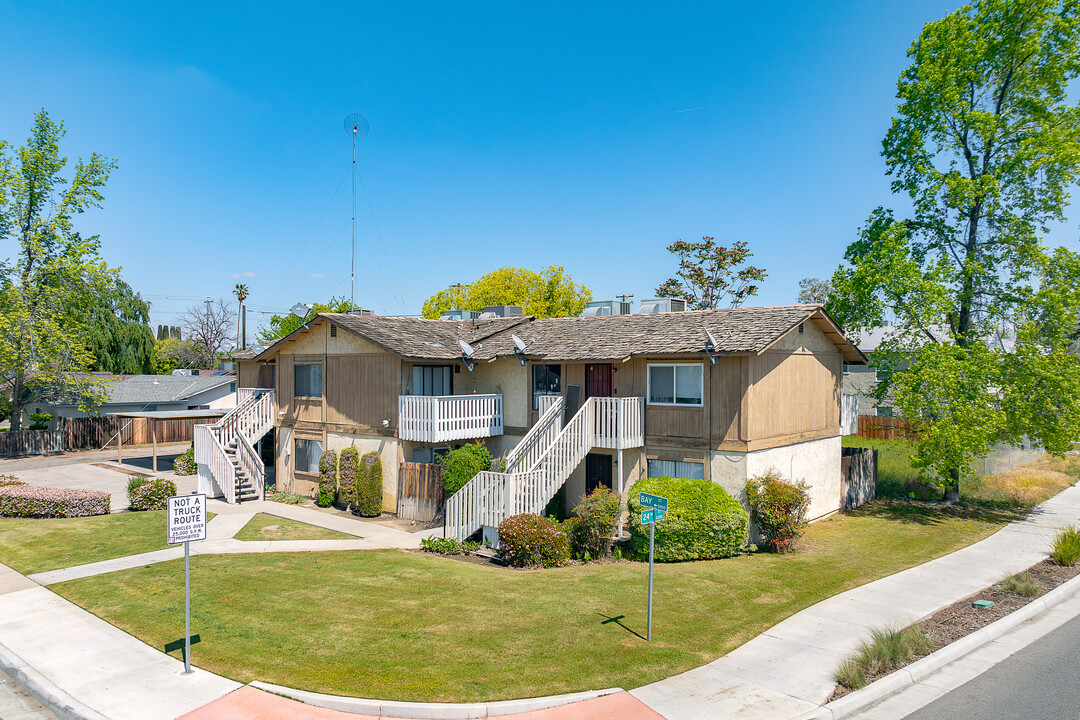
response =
{"points": [[444, 418]]}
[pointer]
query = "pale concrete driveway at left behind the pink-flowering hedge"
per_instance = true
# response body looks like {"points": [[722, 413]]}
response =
{"points": [[79, 471]]}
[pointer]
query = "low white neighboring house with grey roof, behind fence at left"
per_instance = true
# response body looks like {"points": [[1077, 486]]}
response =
{"points": [[138, 393]]}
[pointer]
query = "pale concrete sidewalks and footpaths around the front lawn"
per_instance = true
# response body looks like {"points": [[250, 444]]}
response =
{"points": [[784, 674]]}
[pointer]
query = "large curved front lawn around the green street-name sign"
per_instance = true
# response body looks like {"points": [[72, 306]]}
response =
{"points": [[401, 626]]}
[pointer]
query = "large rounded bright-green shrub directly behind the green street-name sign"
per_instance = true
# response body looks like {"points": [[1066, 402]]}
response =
{"points": [[703, 522]]}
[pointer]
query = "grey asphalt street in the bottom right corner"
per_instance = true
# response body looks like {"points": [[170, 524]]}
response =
{"points": [[1039, 683]]}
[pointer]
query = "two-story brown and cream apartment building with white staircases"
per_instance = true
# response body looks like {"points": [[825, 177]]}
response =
{"points": [[651, 390]]}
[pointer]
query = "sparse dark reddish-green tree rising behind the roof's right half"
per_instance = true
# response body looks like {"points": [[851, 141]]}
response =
{"points": [[710, 275]]}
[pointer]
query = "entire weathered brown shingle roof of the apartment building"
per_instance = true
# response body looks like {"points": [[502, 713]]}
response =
{"points": [[590, 339]]}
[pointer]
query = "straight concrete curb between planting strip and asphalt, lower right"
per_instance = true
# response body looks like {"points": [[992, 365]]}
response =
{"points": [[913, 674]]}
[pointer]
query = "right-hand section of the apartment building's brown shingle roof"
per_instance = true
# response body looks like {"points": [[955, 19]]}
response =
{"points": [[618, 337]]}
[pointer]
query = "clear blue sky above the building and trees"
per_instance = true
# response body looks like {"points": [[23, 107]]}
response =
{"points": [[586, 135]]}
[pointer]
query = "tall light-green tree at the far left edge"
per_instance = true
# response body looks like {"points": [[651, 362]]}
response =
{"points": [[44, 346]]}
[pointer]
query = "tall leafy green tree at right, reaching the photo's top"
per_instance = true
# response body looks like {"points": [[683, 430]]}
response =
{"points": [[985, 145]]}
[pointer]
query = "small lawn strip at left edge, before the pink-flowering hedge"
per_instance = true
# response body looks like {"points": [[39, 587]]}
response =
{"points": [[39, 545]]}
